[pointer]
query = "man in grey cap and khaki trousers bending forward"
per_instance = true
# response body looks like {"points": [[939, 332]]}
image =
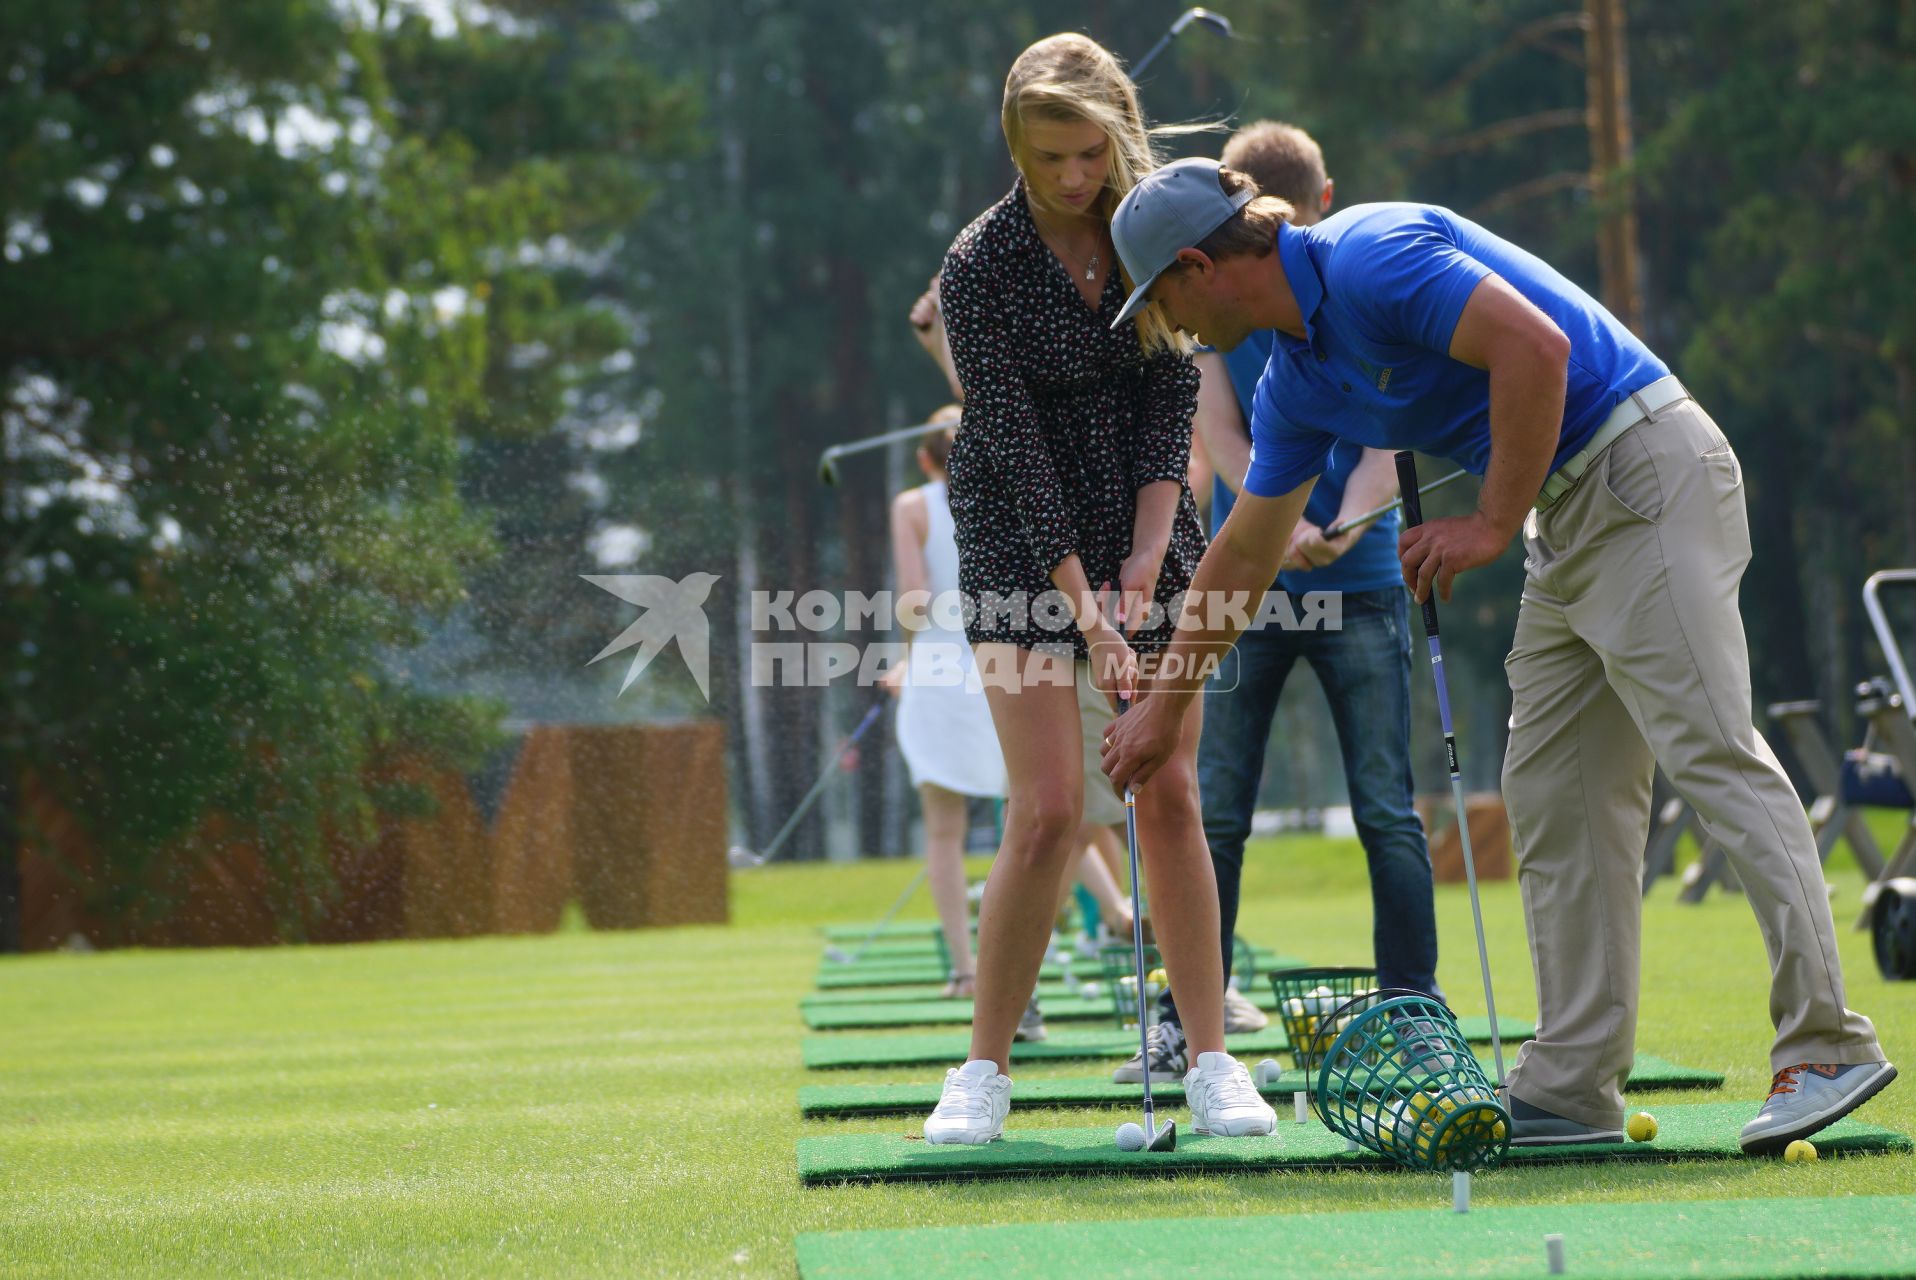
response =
{"points": [[1409, 327]]}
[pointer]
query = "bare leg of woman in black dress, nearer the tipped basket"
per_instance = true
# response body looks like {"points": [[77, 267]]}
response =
{"points": [[1177, 871]]}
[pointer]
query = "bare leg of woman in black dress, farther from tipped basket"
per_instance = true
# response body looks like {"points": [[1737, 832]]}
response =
{"points": [[1034, 704]]}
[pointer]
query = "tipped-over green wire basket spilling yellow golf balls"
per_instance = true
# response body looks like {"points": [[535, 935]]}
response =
{"points": [[1402, 1080]]}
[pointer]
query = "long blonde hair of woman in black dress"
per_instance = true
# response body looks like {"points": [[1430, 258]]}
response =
{"points": [[1068, 80]]}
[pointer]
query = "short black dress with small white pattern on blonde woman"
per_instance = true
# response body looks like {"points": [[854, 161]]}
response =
{"points": [[1064, 421]]}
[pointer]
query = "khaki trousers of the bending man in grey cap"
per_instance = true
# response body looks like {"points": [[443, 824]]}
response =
{"points": [[1630, 654]]}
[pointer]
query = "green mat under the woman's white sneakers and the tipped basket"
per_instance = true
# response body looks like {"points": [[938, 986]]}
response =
{"points": [[1695, 1131]]}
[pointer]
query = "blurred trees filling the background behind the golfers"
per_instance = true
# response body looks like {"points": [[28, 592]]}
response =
{"points": [[342, 338]]}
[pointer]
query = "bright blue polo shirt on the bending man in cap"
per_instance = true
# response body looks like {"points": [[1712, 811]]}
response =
{"points": [[1380, 290]]}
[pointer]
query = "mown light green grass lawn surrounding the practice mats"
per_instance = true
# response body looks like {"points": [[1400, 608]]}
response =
{"points": [[626, 1103]]}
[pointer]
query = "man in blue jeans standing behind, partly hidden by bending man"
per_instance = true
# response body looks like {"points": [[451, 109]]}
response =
{"points": [[1363, 664]]}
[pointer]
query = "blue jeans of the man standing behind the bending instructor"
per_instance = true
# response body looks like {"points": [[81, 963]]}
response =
{"points": [[1365, 672]]}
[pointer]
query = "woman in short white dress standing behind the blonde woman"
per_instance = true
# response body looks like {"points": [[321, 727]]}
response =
{"points": [[946, 729]]}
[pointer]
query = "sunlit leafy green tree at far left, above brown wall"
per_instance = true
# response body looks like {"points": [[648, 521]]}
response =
{"points": [[263, 283]]}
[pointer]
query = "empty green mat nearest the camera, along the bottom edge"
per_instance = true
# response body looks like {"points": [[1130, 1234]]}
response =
{"points": [[1708, 1239]]}
